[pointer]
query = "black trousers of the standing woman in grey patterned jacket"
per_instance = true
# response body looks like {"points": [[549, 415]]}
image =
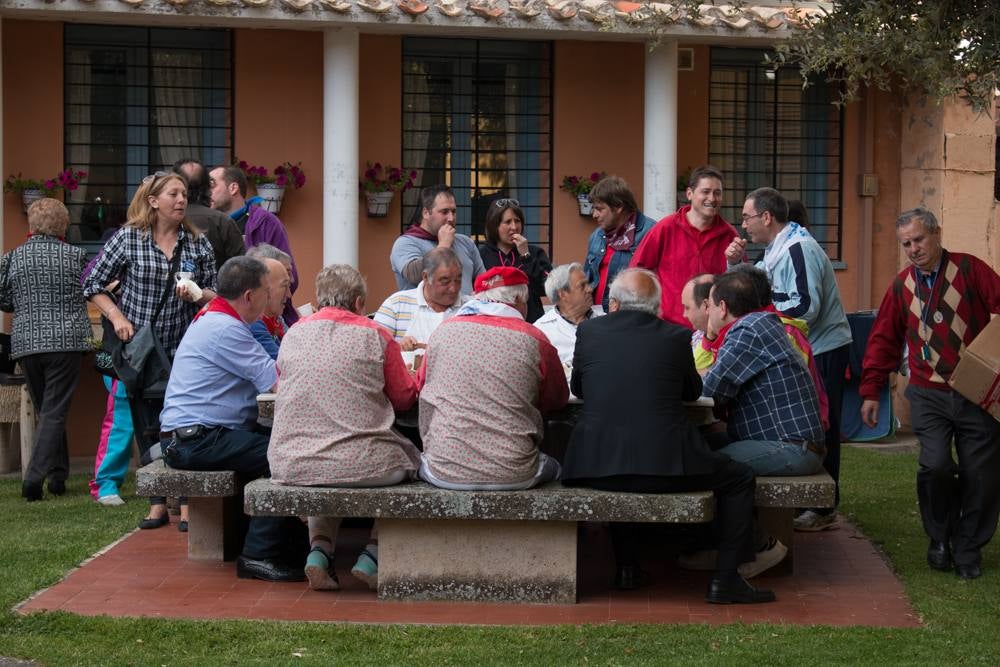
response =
{"points": [[51, 378]]}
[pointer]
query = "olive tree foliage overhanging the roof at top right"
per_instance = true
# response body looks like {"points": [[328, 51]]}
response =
{"points": [[940, 48]]}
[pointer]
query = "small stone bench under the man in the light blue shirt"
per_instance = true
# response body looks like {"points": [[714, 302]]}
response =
{"points": [[214, 513]]}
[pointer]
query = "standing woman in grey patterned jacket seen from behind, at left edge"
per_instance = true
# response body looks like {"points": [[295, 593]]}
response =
{"points": [[40, 284]]}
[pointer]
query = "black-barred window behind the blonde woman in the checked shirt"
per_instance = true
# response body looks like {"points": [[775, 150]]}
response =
{"points": [[136, 100]]}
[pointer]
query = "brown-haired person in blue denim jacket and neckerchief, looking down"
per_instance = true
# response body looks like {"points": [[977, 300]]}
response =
{"points": [[621, 227]]}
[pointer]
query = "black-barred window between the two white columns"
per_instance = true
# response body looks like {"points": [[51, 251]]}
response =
{"points": [[477, 116]]}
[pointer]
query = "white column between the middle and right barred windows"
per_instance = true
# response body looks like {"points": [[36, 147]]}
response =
{"points": [[659, 180]]}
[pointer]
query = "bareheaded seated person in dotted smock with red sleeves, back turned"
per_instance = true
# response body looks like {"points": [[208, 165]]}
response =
{"points": [[342, 378]]}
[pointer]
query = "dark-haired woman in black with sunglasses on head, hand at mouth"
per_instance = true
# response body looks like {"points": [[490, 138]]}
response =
{"points": [[506, 246]]}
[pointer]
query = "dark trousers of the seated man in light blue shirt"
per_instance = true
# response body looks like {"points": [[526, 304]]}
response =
{"points": [[246, 453]]}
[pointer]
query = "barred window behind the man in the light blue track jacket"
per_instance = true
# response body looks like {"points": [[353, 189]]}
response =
{"points": [[766, 130]]}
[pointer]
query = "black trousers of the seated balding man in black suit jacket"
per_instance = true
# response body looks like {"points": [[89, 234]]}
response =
{"points": [[733, 485]]}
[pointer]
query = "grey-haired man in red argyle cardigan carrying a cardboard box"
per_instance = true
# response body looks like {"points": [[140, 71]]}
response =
{"points": [[937, 307]]}
